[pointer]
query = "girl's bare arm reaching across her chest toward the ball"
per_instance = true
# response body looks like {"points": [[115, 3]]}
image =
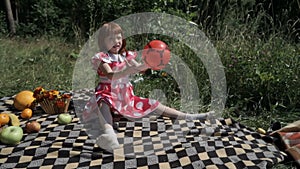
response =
{"points": [[131, 68]]}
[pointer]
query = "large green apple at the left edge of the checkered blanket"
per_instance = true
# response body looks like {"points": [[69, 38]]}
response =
{"points": [[11, 135]]}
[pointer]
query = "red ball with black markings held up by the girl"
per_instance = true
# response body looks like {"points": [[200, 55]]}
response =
{"points": [[156, 54]]}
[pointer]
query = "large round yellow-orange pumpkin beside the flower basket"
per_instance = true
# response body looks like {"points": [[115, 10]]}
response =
{"points": [[23, 100]]}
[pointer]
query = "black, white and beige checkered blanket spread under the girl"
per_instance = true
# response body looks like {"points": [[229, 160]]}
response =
{"points": [[145, 143]]}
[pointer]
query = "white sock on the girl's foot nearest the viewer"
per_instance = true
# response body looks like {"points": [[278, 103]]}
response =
{"points": [[108, 140]]}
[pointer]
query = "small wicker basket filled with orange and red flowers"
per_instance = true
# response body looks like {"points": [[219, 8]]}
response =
{"points": [[52, 102]]}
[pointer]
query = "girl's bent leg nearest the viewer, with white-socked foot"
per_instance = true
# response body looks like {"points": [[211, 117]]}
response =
{"points": [[108, 140]]}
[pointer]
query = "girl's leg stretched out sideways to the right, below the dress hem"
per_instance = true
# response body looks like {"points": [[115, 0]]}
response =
{"points": [[173, 113]]}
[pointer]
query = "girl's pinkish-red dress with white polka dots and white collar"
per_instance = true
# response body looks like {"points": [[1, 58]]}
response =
{"points": [[118, 94]]}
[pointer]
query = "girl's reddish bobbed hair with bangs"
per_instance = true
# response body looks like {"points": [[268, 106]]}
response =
{"points": [[106, 30]]}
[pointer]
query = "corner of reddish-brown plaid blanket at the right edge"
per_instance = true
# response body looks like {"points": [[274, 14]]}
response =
{"points": [[290, 140]]}
